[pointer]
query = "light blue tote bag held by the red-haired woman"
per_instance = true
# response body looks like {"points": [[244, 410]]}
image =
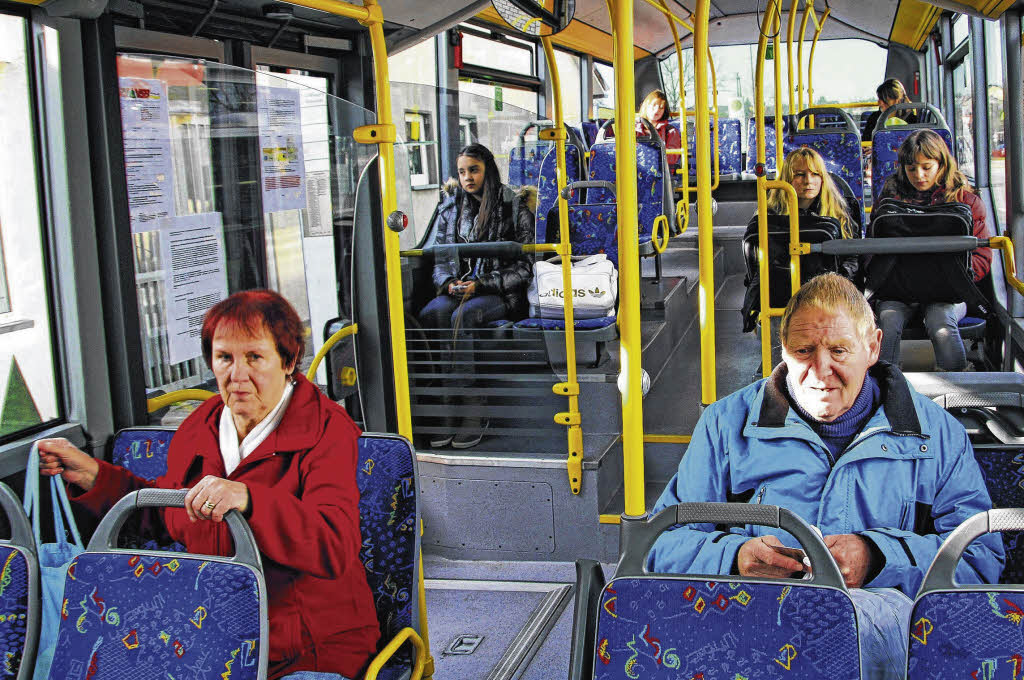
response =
{"points": [[54, 558]]}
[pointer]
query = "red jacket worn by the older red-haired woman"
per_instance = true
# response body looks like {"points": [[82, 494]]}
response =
{"points": [[306, 518]]}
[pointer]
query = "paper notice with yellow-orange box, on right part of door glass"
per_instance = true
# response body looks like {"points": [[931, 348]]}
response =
{"points": [[283, 174]]}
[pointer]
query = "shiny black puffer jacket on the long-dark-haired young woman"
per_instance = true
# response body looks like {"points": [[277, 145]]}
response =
{"points": [[505, 278]]}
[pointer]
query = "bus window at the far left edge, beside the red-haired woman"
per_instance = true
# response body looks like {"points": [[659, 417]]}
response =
{"points": [[29, 395]]}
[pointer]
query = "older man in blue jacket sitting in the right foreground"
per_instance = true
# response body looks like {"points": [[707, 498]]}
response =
{"points": [[846, 444]]}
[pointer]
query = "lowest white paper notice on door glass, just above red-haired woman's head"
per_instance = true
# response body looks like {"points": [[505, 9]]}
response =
{"points": [[193, 249]]}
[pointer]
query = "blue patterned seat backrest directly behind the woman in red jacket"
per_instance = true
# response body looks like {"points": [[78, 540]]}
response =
{"points": [[390, 523]]}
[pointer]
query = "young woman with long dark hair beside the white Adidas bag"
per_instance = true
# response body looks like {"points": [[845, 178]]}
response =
{"points": [[475, 291]]}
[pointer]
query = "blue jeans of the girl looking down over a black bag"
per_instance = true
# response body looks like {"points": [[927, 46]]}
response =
{"points": [[941, 322]]}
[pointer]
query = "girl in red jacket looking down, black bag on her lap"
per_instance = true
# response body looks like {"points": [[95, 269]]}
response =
{"points": [[928, 176]]}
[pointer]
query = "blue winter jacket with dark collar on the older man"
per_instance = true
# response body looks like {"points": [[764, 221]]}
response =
{"points": [[906, 482]]}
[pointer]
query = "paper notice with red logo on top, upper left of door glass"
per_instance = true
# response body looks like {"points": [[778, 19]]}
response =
{"points": [[146, 125]]}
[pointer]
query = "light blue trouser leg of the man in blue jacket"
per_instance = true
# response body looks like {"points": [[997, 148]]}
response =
{"points": [[883, 623]]}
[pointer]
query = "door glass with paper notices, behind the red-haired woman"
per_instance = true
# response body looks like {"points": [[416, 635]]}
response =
{"points": [[237, 180]]}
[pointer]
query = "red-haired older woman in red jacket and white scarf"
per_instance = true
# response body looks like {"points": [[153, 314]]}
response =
{"points": [[274, 448]]}
